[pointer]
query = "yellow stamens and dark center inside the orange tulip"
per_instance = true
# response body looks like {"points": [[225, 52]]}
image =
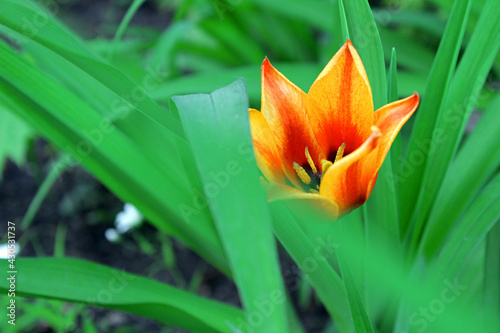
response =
{"points": [[309, 175]]}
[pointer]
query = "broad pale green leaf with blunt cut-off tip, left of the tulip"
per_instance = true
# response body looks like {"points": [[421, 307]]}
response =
{"points": [[217, 127]]}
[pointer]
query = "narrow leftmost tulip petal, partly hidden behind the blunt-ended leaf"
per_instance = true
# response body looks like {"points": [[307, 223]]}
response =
{"points": [[266, 151]]}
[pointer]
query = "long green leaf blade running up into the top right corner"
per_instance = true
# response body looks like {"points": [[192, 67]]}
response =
{"points": [[464, 93]]}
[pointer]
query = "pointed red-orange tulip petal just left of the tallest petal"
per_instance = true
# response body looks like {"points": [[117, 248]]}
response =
{"points": [[284, 107]]}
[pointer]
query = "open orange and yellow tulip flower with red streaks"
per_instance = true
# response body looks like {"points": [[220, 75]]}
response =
{"points": [[325, 146]]}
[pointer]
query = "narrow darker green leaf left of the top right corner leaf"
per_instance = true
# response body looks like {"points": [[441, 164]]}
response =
{"points": [[432, 105]]}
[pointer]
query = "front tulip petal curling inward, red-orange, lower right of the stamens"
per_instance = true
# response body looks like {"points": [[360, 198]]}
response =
{"points": [[348, 182]]}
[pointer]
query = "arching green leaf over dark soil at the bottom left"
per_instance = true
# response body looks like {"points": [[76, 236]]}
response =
{"points": [[85, 282]]}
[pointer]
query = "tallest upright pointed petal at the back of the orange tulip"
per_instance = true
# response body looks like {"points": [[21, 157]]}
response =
{"points": [[340, 103]]}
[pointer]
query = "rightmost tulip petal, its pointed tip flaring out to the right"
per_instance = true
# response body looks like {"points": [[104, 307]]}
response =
{"points": [[389, 119]]}
